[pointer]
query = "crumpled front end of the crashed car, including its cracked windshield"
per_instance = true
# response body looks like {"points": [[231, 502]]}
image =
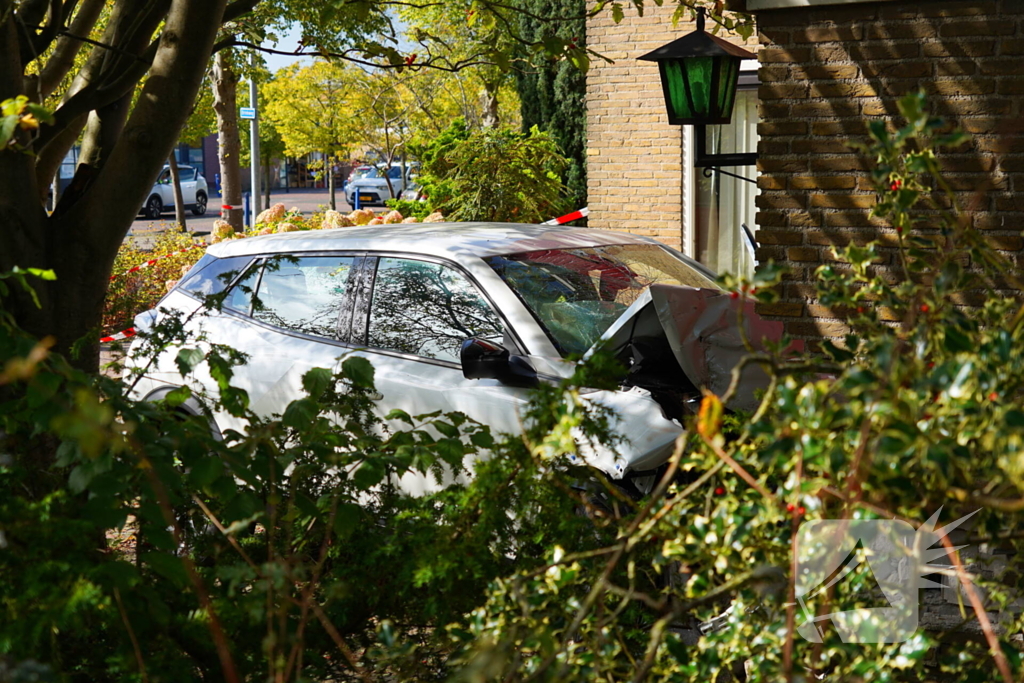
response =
{"points": [[662, 316]]}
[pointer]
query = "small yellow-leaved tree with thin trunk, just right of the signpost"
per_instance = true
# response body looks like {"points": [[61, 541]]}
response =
{"points": [[312, 110]]}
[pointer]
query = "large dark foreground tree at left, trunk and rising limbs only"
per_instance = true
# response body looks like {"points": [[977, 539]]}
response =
{"points": [[164, 47]]}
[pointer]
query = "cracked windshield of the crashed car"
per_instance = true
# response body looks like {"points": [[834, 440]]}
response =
{"points": [[577, 294]]}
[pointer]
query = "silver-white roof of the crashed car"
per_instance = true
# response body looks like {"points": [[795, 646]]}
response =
{"points": [[451, 240]]}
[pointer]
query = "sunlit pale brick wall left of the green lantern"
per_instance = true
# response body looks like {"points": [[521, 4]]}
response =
{"points": [[635, 158]]}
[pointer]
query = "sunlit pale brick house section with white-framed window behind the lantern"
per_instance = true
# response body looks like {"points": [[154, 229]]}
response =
{"points": [[642, 174]]}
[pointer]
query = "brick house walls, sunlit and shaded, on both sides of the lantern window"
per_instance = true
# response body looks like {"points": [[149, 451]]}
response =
{"points": [[827, 68]]}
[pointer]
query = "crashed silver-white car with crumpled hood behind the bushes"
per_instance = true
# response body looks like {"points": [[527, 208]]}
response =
{"points": [[463, 317]]}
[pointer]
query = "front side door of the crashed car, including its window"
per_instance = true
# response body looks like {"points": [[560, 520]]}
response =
{"points": [[415, 315]]}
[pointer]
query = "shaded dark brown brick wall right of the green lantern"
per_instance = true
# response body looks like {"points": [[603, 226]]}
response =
{"points": [[827, 72]]}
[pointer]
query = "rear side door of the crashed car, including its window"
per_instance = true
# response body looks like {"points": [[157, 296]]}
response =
{"points": [[289, 317]]}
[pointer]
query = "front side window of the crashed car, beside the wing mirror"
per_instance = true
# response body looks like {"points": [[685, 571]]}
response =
{"points": [[428, 310]]}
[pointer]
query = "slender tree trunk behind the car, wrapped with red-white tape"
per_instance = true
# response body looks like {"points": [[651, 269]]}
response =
{"points": [[226, 89]]}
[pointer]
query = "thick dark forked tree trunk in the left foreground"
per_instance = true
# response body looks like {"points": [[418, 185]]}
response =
{"points": [[81, 239]]}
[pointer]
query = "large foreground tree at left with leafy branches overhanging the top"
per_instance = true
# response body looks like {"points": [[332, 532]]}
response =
{"points": [[123, 77]]}
